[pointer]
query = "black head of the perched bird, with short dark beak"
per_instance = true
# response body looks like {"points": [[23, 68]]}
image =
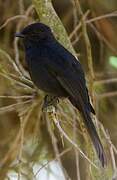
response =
{"points": [[35, 32]]}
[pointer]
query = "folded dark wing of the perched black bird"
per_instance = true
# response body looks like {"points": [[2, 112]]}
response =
{"points": [[68, 71]]}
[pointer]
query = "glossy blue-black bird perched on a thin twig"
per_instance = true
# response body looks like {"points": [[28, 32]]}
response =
{"points": [[56, 71]]}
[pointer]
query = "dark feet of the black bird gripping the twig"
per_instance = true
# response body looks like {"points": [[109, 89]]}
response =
{"points": [[50, 101]]}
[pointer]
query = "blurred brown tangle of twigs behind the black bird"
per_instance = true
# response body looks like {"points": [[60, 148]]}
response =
{"points": [[30, 148]]}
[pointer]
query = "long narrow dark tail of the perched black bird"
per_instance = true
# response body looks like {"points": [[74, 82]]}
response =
{"points": [[93, 134]]}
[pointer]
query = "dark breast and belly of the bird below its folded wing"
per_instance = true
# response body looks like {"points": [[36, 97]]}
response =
{"points": [[42, 78]]}
